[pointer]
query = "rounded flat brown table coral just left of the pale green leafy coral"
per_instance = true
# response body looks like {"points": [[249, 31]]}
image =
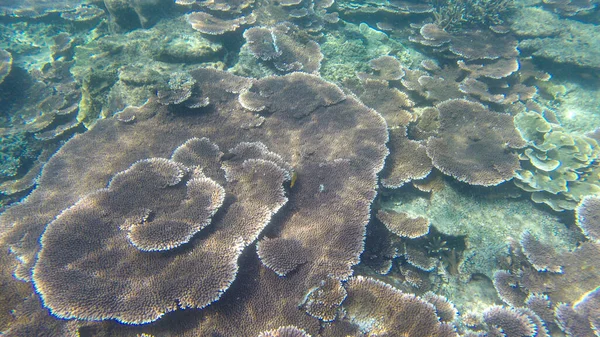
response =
{"points": [[473, 144]]}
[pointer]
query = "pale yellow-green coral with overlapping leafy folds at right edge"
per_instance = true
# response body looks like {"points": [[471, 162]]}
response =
{"points": [[559, 167]]}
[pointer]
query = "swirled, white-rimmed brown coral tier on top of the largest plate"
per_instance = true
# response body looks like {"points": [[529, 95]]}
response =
{"points": [[155, 205]]}
